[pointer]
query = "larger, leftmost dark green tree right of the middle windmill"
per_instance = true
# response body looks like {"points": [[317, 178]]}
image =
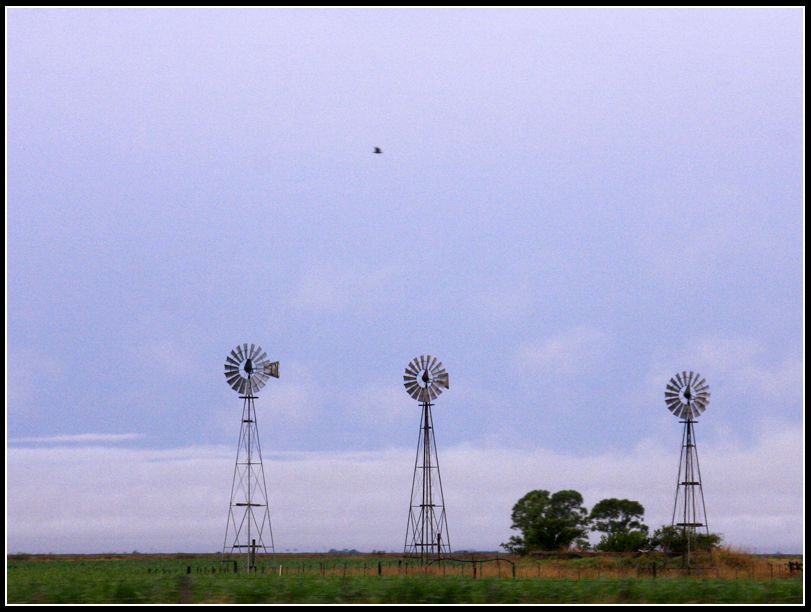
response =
{"points": [[547, 522]]}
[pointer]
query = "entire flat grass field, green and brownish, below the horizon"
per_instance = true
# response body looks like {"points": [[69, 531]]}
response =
{"points": [[373, 579]]}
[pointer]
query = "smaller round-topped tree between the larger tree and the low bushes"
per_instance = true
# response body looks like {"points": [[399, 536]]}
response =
{"points": [[620, 521]]}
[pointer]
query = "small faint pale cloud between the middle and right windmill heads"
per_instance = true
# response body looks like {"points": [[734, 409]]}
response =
{"points": [[565, 354]]}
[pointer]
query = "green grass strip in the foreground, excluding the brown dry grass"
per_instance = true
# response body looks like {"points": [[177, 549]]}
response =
{"points": [[131, 581]]}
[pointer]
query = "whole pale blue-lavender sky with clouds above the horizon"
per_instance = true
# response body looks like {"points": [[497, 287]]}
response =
{"points": [[571, 206]]}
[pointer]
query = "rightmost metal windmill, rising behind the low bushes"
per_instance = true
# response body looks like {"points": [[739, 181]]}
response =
{"points": [[687, 396]]}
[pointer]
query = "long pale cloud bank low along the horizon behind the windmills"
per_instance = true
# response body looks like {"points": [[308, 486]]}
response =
{"points": [[94, 499]]}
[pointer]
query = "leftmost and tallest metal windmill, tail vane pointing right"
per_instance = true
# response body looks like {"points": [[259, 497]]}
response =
{"points": [[248, 528]]}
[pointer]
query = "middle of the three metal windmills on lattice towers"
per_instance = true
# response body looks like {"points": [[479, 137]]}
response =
{"points": [[427, 528]]}
